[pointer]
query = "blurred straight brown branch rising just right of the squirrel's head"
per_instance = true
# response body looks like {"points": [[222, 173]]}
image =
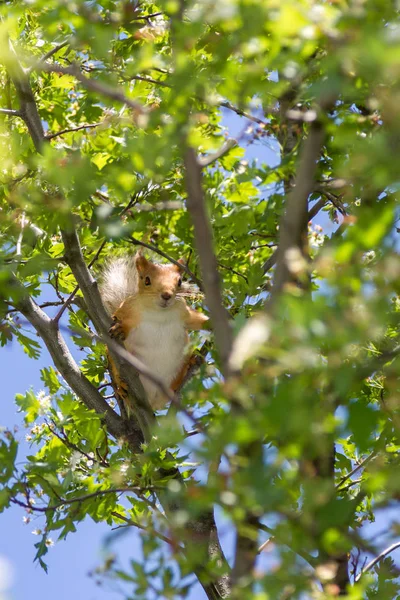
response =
{"points": [[208, 262]]}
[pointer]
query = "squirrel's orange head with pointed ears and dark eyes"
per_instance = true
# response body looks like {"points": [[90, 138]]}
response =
{"points": [[160, 283]]}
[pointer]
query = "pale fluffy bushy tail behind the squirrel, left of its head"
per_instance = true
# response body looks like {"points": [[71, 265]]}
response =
{"points": [[118, 281]]}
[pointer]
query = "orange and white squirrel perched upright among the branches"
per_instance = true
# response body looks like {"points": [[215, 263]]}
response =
{"points": [[151, 317]]}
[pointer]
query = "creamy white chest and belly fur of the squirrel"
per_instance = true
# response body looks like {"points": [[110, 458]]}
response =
{"points": [[159, 342]]}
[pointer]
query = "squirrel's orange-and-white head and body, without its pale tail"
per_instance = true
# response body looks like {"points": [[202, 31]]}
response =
{"points": [[153, 322]]}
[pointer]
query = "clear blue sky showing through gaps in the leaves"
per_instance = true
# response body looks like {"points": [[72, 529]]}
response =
{"points": [[71, 561]]}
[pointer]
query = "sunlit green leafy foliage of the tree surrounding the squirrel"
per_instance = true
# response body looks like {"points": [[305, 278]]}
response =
{"points": [[123, 89]]}
